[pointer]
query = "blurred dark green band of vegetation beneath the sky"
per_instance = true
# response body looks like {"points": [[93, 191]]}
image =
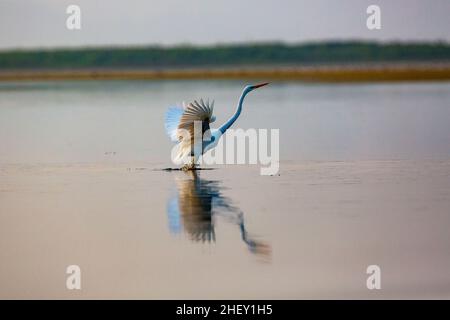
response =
{"points": [[223, 55]]}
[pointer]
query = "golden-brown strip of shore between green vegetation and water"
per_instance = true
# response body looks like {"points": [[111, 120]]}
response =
{"points": [[342, 73]]}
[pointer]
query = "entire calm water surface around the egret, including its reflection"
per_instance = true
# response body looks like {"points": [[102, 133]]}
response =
{"points": [[364, 179]]}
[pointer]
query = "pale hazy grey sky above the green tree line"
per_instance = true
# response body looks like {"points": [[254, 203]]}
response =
{"points": [[42, 23]]}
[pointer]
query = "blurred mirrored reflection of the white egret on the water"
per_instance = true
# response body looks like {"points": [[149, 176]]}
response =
{"points": [[197, 204]]}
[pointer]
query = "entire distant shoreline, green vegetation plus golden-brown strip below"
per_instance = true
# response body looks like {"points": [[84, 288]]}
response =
{"points": [[330, 61]]}
